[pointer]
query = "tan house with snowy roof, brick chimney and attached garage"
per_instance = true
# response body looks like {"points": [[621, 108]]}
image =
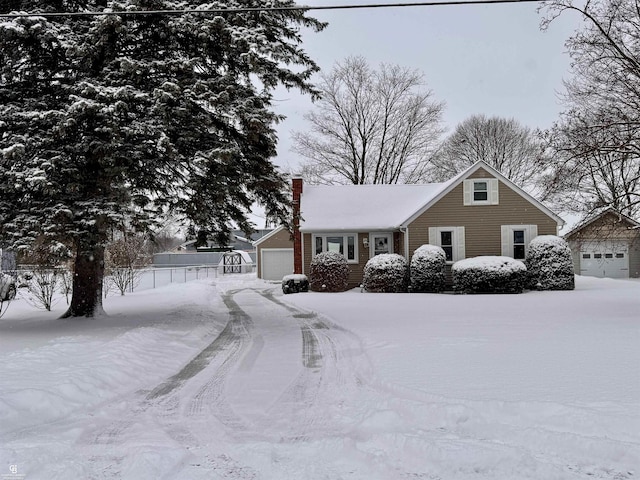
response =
{"points": [[478, 212]]}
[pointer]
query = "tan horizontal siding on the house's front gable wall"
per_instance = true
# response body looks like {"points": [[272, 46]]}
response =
{"points": [[482, 222]]}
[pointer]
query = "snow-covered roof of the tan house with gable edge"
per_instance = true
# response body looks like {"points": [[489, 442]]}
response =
{"points": [[383, 207]]}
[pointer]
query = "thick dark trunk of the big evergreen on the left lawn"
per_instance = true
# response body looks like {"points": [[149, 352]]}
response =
{"points": [[88, 274]]}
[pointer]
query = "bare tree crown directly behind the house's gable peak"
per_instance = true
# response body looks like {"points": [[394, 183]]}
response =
{"points": [[505, 144]]}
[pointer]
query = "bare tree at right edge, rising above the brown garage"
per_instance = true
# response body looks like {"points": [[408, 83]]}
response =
{"points": [[597, 140]]}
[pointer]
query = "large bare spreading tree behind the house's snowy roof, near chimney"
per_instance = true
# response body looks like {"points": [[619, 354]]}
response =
{"points": [[370, 126]]}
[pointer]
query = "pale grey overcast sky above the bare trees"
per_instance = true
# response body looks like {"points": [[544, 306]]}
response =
{"points": [[479, 59]]}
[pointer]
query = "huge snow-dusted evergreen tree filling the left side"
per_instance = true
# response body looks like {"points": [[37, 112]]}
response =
{"points": [[114, 119]]}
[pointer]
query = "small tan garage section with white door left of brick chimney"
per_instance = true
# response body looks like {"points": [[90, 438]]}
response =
{"points": [[274, 255]]}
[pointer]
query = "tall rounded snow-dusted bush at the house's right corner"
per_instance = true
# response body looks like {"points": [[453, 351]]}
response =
{"points": [[549, 264]]}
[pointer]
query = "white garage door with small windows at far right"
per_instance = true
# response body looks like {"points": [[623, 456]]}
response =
{"points": [[605, 259]]}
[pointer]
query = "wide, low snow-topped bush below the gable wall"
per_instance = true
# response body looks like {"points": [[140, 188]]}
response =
{"points": [[489, 275]]}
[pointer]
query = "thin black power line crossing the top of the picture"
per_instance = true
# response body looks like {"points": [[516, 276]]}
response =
{"points": [[263, 9]]}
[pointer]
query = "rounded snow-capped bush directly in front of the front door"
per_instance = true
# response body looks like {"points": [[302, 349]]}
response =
{"points": [[388, 273]]}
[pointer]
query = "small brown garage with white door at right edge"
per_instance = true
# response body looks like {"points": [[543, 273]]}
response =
{"points": [[606, 244]]}
